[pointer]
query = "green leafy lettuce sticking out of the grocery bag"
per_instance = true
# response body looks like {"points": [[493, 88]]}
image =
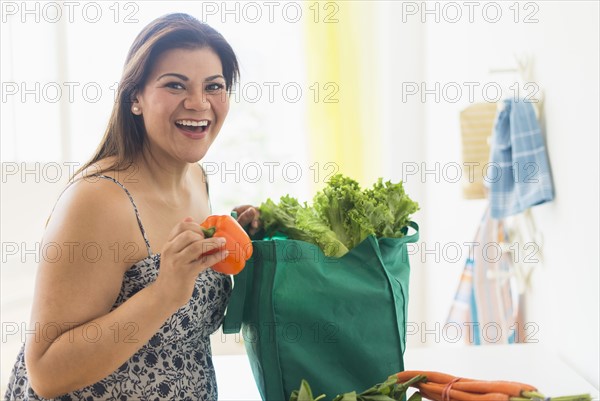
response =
{"points": [[342, 215]]}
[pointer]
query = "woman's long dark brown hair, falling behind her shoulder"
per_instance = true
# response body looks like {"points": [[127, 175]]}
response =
{"points": [[125, 134]]}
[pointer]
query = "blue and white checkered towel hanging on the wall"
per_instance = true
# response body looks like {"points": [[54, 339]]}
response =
{"points": [[519, 174]]}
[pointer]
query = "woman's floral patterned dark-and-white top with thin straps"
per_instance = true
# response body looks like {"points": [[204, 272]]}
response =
{"points": [[176, 364]]}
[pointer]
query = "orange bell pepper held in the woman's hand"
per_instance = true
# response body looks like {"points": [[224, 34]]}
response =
{"points": [[238, 242]]}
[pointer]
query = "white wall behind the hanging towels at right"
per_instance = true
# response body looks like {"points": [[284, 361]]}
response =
{"points": [[563, 298]]}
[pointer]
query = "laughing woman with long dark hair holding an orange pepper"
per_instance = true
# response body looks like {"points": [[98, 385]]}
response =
{"points": [[112, 319]]}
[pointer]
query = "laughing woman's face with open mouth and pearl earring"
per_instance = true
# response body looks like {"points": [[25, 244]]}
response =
{"points": [[183, 103]]}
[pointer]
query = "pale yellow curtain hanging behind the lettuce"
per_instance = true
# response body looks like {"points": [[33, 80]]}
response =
{"points": [[342, 72]]}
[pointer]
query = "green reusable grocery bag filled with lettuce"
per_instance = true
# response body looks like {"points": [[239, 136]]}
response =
{"points": [[339, 323]]}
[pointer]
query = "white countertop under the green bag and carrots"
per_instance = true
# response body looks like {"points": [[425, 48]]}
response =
{"points": [[527, 363]]}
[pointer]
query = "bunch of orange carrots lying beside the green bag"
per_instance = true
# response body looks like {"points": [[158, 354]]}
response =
{"points": [[444, 387]]}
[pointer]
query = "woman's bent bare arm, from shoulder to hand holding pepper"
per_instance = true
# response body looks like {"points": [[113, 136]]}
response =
{"points": [[78, 340]]}
